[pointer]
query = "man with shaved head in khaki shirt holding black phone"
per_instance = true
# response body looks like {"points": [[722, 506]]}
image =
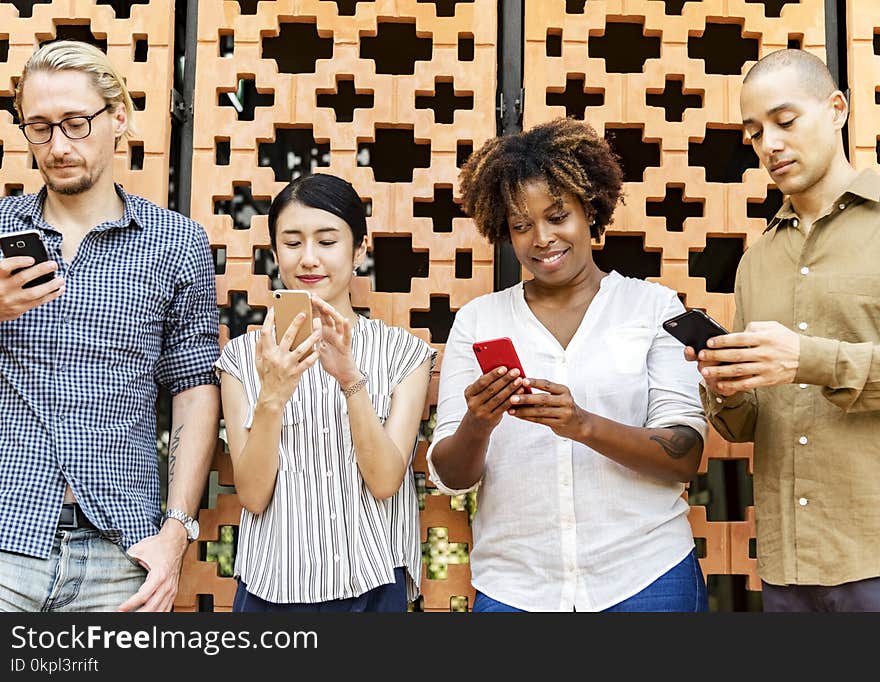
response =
{"points": [[802, 378]]}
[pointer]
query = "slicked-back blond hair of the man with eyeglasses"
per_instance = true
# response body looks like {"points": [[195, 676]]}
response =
{"points": [[74, 55]]}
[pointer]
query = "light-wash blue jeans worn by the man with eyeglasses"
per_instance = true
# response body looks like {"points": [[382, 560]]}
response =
{"points": [[84, 572]]}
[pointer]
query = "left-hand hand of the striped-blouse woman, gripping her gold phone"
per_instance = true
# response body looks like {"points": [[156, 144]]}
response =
{"points": [[281, 365]]}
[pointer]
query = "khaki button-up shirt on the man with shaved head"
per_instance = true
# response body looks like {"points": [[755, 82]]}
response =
{"points": [[817, 441]]}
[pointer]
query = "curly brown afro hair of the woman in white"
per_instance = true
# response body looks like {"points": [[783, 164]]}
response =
{"points": [[565, 153]]}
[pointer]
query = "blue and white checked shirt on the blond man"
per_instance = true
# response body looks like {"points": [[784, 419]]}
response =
{"points": [[79, 376]]}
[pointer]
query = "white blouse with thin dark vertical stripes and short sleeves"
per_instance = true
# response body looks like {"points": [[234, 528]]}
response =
{"points": [[324, 536]]}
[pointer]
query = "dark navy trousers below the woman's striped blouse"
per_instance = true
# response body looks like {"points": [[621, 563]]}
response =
{"points": [[390, 598]]}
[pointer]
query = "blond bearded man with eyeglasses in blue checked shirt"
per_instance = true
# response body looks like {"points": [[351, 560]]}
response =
{"points": [[131, 307]]}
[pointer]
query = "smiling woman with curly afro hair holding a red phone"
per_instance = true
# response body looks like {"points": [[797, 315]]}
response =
{"points": [[580, 479]]}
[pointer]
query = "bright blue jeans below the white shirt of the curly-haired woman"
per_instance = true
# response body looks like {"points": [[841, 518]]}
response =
{"points": [[681, 589]]}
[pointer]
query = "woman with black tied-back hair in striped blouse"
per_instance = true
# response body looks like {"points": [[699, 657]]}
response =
{"points": [[322, 434]]}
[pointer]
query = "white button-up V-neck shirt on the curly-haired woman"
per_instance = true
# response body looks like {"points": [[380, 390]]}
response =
{"points": [[558, 525]]}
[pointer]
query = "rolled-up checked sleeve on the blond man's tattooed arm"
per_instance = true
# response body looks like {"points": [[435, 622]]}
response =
{"points": [[191, 344]]}
